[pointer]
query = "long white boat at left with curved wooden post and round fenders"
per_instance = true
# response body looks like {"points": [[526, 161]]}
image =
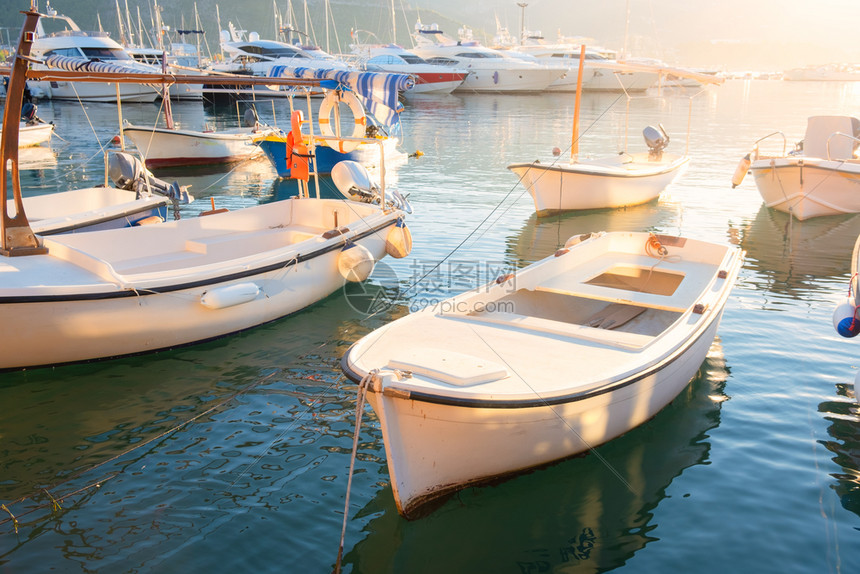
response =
{"points": [[84, 296]]}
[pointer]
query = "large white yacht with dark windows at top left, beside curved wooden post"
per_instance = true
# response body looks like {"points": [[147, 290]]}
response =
{"points": [[79, 47]]}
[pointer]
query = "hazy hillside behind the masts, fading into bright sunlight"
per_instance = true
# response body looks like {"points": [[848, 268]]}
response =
{"points": [[730, 34]]}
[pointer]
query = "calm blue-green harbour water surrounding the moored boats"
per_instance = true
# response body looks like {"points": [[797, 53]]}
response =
{"points": [[233, 455]]}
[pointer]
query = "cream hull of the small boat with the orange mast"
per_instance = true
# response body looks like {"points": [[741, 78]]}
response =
{"points": [[566, 187]]}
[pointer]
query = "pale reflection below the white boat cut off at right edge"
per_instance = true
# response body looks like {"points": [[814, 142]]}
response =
{"points": [[794, 257]]}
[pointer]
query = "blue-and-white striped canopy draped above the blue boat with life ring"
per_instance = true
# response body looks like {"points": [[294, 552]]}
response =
{"points": [[378, 92]]}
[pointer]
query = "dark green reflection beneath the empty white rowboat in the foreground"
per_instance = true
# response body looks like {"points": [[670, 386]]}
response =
{"points": [[573, 514]]}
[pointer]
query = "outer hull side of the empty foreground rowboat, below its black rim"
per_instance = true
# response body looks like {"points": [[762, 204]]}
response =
{"points": [[433, 450]]}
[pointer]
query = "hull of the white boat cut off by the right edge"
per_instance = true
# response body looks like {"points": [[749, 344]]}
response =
{"points": [[808, 187]]}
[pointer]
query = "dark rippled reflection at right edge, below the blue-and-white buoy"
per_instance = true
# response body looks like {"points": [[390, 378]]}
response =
{"points": [[843, 413]]}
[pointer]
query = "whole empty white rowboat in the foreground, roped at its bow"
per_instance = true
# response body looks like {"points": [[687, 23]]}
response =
{"points": [[562, 356]]}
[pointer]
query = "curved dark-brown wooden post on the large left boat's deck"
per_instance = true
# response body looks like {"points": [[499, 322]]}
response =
{"points": [[17, 236]]}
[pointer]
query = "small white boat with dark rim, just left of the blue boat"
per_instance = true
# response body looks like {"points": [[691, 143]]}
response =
{"points": [[164, 147]]}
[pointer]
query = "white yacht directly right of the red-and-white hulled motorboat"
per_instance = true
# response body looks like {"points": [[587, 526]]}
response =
{"points": [[489, 70]]}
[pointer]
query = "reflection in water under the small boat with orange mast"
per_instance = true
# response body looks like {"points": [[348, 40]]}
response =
{"points": [[540, 237]]}
